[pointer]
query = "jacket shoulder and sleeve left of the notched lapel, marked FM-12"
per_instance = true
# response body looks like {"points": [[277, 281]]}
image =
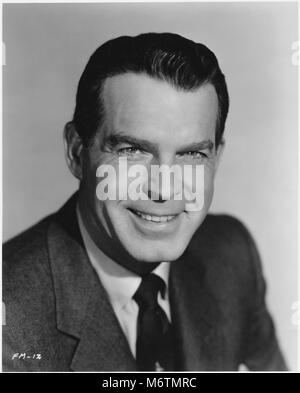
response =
{"points": [[30, 304]]}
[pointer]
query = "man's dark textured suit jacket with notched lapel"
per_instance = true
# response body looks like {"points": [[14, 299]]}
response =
{"points": [[58, 316]]}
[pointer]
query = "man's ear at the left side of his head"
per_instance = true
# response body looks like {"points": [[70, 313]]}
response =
{"points": [[73, 148]]}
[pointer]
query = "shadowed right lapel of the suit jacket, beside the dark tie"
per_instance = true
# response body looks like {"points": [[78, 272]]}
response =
{"points": [[195, 315]]}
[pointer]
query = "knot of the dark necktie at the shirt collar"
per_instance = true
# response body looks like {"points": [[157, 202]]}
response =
{"points": [[146, 294]]}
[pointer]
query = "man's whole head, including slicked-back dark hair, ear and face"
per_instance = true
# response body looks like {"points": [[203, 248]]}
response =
{"points": [[156, 99]]}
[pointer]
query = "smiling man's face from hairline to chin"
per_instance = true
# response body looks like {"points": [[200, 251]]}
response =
{"points": [[150, 123]]}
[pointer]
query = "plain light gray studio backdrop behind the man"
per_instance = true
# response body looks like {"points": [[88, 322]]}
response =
{"points": [[47, 47]]}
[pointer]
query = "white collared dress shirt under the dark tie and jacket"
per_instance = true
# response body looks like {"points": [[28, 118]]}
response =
{"points": [[121, 284]]}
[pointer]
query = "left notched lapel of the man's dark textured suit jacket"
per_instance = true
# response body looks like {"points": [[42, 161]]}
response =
{"points": [[82, 306]]}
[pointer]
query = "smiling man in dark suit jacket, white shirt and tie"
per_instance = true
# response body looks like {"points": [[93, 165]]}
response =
{"points": [[124, 283]]}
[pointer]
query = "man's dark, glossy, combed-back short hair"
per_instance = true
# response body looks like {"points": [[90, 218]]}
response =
{"points": [[181, 62]]}
